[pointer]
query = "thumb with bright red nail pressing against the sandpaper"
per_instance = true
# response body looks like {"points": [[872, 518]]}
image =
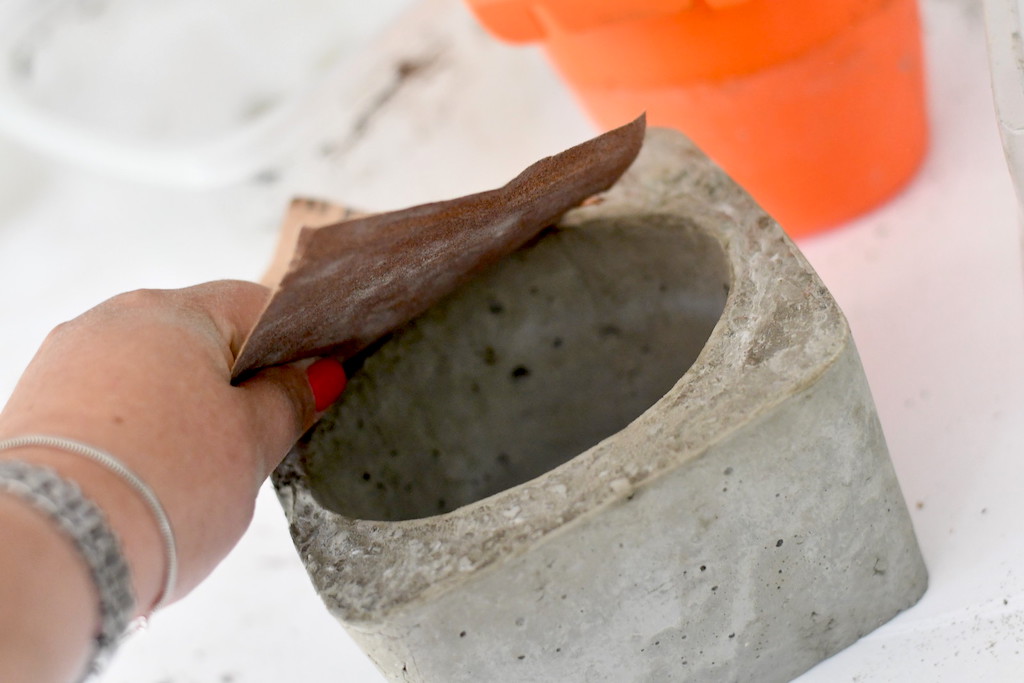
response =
{"points": [[286, 401]]}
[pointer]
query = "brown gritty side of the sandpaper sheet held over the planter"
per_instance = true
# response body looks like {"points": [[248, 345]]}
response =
{"points": [[354, 282]]}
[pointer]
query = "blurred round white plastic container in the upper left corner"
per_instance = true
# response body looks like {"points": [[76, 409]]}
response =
{"points": [[182, 93]]}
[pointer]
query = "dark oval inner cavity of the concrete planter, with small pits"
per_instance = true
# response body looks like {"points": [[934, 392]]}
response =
{"points": [[552, 351]]}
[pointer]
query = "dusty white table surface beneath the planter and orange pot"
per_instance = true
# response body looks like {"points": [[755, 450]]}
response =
{"points": [[931, 284]]}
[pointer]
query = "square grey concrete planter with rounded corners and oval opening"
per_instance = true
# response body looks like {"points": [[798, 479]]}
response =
{"points": [[643, 449]]}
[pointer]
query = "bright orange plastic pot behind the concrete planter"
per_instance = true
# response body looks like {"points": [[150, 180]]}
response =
{"points": [[817, 107]]}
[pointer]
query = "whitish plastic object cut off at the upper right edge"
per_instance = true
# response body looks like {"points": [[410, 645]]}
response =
{"points": [[1006, 54]]}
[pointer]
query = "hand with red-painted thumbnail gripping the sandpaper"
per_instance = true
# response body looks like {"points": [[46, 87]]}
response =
{"points": [[146, 376]]}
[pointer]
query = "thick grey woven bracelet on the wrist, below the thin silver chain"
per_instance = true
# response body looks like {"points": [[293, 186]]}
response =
{"points": [[87, 526]]}
